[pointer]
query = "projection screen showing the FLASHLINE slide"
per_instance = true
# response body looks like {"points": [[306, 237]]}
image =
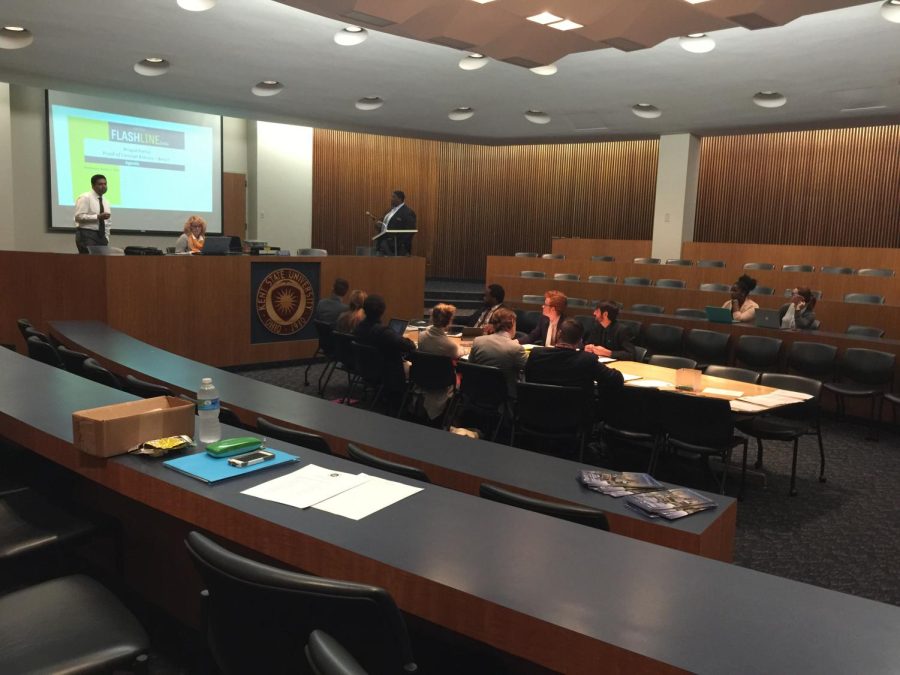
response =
{"points": [[159, 170]]}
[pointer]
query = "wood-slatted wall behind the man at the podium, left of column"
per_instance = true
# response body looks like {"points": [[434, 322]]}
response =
{"points": [[474, 200]]}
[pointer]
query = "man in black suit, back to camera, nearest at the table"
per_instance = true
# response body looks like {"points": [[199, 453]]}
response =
{"points": [[568, 367]]}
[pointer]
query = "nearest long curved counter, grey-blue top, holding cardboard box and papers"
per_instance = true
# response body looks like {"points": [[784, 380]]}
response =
{"points": [[567, 597]]}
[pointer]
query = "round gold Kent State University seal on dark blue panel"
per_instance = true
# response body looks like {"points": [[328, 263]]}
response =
{"points": [[284, 301]]}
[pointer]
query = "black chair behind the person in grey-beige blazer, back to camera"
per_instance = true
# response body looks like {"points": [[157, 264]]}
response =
{"points": [[483, 391]]}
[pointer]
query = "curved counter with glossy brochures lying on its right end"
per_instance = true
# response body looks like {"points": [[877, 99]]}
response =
{"points": [[448, 460]]}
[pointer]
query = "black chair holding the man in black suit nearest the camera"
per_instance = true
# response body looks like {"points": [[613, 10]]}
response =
{"points": [[552, 412]]}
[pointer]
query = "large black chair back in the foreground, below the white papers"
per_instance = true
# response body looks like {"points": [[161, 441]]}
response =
{"points": [[274, 608]]}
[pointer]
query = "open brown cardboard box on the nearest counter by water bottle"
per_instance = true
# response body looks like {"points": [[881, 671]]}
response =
{"points": [[116, 429]]}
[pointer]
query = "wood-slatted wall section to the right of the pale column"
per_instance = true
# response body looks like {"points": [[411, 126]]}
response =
{"points": [[831, 187]]}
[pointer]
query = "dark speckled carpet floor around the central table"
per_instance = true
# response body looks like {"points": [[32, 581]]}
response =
{"points": [[842, 534]]}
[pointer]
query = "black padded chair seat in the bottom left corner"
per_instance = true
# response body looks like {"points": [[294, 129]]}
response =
{"points": [[68, 625]]}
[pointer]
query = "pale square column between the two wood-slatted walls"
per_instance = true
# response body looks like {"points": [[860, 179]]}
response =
{"points": [[676, 194]]}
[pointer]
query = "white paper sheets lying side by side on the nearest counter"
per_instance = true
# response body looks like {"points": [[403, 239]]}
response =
{"points": [[343, 494]]}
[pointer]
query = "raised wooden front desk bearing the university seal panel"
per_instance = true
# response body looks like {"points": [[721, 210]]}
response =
{"points": [[198, 306]]}
